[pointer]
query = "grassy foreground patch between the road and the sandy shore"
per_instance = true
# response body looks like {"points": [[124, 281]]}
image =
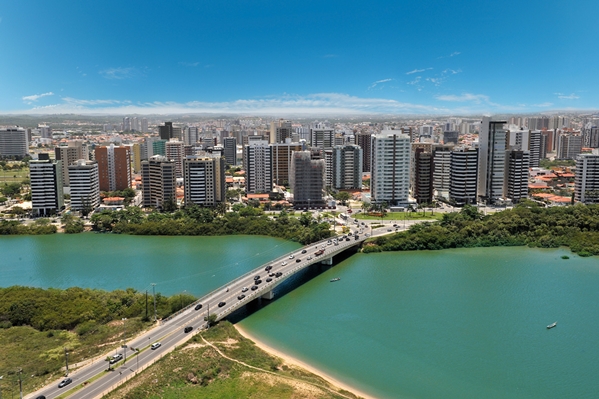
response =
{"points": [[199, 371]]}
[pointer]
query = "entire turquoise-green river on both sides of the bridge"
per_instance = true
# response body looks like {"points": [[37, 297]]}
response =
{"points": [[468, 323]]}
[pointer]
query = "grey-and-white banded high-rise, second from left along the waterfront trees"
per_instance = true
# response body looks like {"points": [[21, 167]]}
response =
{"points": [[85, 185]]}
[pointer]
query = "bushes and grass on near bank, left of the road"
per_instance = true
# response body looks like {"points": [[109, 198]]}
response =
{"points": [[36, 325]]}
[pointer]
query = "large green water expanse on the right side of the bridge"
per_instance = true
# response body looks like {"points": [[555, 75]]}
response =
{"points": [[465, 323]]}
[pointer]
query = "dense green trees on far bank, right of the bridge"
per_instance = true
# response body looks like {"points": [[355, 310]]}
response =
{"points": [[527, 224]]}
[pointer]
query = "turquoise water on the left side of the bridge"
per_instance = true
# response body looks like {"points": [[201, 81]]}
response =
{"points": [[109, 261]]}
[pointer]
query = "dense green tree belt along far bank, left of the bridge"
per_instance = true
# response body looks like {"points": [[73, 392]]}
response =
{"points": [[207, 222]]}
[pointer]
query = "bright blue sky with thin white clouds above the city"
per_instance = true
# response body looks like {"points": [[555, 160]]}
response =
{"points": [[289, 57]]}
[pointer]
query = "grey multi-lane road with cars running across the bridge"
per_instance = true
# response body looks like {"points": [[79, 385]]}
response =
{"points": [[171, 332]]}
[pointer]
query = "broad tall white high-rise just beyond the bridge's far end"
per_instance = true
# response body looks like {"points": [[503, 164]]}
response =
{"points": [[390, 180]]}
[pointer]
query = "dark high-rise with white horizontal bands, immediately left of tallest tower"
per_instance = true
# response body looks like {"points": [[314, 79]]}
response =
{"points": [[464, 176]]}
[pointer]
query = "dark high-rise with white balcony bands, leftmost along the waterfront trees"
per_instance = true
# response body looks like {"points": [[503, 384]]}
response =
{"points": [[47, 196]]}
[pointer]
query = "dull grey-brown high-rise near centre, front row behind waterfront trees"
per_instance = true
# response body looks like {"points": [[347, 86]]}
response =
{"points": [[306, 178]]}
